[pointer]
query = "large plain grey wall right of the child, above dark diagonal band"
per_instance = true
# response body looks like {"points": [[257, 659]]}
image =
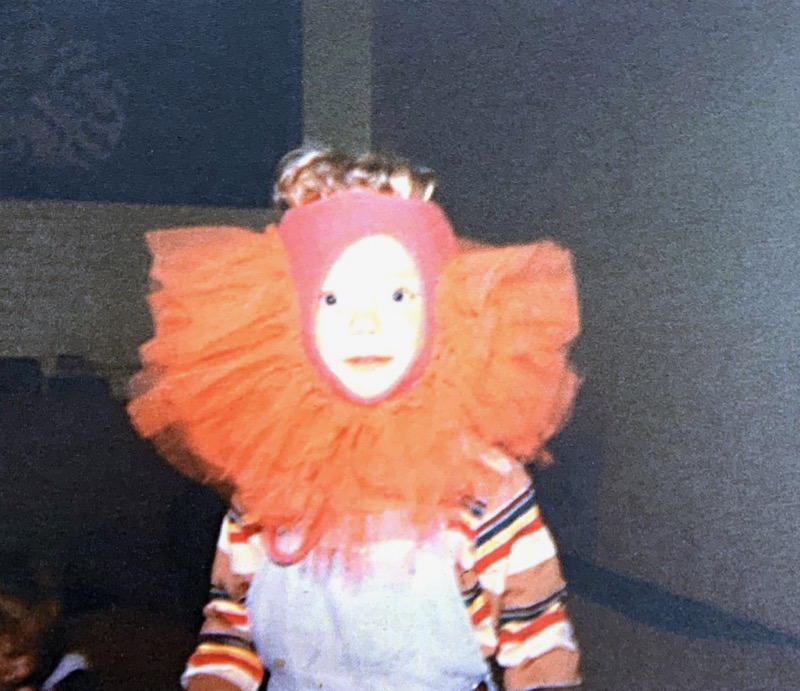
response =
{"points": [[660, 142]]}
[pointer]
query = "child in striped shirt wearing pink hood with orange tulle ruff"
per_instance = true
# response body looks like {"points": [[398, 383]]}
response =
{"points": [[366, 388]]}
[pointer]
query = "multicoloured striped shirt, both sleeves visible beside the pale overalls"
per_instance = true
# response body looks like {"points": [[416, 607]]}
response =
{"points": [[506, 567]]}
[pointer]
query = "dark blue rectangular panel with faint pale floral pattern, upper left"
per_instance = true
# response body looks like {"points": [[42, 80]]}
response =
{"points": [[185, 102]]}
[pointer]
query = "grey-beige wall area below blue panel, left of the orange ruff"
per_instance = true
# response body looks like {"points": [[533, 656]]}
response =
{"points": [[74, 277]]}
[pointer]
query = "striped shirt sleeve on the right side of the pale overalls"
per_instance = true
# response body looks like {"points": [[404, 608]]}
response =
{"points": [[515, 592]]}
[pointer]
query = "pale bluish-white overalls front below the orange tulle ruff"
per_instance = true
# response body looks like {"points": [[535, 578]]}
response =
{"points": [[403, 625]]}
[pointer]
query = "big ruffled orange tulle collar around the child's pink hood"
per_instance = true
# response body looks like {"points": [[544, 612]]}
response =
{"points": [[228, 396]]}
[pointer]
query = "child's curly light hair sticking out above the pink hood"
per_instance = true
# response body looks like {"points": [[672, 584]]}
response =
{"points": [[311, 173]]}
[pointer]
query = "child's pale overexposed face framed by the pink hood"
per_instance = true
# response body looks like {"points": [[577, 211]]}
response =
{"points": [[370, 319]]}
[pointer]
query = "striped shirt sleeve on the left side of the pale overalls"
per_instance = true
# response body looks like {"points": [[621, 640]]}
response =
{"points": [[225, 648]]}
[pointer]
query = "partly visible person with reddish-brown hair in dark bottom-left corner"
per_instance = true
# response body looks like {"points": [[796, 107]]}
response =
{"points": [[32, 656]]}
